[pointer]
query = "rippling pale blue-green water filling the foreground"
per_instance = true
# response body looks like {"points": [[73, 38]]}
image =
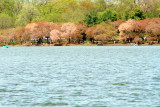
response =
{"points": [[80, 76]]}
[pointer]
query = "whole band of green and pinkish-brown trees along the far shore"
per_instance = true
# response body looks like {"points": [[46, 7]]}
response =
{"points": [[77, 21]]}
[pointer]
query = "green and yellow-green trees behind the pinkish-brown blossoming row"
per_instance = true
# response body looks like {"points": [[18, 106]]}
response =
{"points": [[91, 12]]}
